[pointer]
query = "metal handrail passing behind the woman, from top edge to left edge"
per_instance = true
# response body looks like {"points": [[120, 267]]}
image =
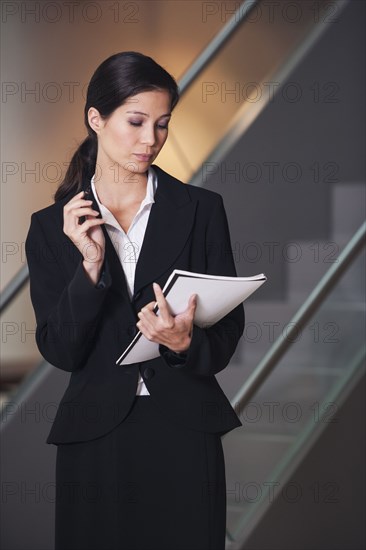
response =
{"points": [[204, 58]]}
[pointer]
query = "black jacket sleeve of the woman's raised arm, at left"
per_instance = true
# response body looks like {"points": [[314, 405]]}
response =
{"points": [[67, 313]]}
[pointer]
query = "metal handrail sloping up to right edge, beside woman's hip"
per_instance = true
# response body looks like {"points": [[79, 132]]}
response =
{"points": [[301, 317]]}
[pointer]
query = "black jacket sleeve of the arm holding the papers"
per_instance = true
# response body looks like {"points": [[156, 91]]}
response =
{"points": [[212, 348]]}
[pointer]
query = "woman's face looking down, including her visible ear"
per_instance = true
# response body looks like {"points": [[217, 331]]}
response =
{"points": [[132, 137]]}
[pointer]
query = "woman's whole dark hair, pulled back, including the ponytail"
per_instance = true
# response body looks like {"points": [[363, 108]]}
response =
{"points": [[119, 77]]}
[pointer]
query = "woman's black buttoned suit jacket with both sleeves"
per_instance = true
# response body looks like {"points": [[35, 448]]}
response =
{"points": [[84, 329]]}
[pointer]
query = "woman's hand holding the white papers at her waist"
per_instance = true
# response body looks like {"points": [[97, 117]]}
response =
{"points": [[174, 332]]}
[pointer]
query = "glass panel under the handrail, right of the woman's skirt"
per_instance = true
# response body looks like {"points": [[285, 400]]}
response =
{"points": [[293, 398]]}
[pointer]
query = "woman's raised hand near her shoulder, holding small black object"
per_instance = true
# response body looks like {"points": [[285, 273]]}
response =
{"points": [[88, 237]]}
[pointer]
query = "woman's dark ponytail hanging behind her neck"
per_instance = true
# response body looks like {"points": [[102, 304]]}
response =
{"points": [[82, 165]]}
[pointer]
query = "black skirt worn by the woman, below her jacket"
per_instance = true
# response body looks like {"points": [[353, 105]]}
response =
{"points": [[149, 484]]}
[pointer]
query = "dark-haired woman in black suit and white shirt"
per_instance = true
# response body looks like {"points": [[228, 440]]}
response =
{"points": [[139, 456]]}
